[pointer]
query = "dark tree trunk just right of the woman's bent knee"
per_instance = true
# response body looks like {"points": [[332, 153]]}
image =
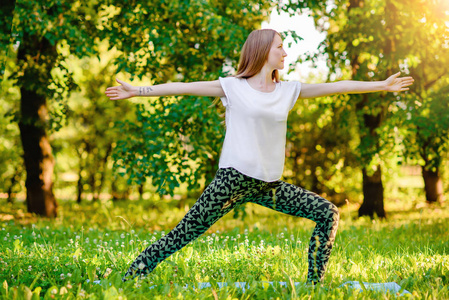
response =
{"points": [[373, 195]]}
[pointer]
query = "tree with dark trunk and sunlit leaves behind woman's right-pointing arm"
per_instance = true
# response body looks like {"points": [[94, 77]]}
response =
{"points": [[369, 40]]}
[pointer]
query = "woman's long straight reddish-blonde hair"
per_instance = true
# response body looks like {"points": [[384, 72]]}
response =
{"points": [[255, 53]]}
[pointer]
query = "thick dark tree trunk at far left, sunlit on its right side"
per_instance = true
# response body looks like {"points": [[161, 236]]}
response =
{"points": [[38, 158]]}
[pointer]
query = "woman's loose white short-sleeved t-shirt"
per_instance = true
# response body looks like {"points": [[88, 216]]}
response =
{"points": [[256, 127]]}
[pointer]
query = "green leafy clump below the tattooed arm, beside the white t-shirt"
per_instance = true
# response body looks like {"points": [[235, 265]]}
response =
{"points": [[178, 143]]}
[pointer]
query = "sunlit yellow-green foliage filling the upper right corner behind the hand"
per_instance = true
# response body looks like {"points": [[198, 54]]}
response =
{"points": [[370, 40]]}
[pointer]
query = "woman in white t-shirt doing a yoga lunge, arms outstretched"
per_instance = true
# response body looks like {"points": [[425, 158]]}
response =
{"points": [[251, 162]]}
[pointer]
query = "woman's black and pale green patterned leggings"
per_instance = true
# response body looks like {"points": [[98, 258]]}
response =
{"points": [[230, 188]]}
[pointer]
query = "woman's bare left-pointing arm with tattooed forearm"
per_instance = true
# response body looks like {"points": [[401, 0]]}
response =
{"points": [[198, 88]]}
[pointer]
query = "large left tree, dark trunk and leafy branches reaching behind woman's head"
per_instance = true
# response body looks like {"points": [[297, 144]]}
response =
{"points": [[169, 40]]}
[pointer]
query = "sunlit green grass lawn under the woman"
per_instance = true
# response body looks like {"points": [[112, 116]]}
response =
{"points": [[53, 259]]}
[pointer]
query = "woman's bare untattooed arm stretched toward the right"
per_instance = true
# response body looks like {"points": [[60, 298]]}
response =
{"points": [[394, 83]]}
